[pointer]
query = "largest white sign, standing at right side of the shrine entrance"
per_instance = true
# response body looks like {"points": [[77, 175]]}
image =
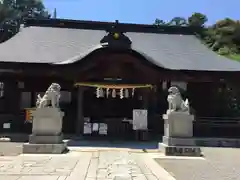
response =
{"points": [[140, 119]]}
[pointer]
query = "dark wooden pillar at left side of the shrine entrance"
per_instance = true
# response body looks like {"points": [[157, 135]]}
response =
{"points": [[80, 117]]}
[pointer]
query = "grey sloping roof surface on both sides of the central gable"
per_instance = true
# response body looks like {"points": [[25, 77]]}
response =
{"points": [[65, 45]]}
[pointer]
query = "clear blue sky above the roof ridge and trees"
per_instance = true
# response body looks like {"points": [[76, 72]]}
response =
{"points": [[142, 11]]}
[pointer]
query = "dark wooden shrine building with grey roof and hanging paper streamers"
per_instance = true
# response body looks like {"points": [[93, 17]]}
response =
{"points": [[108, 69]]}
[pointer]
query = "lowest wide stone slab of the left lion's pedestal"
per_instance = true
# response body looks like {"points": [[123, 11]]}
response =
{"points": [[44, 148]]}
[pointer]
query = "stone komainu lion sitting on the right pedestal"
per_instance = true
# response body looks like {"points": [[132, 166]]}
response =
{"points": [[175, 101]]}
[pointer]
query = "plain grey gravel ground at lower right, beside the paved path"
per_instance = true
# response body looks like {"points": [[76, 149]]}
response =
{"points": [[219, 164]]}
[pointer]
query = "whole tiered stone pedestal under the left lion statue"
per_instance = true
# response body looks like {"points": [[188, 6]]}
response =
{"points": [[46, 134]]}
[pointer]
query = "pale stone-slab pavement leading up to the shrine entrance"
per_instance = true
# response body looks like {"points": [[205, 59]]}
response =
{"points": [[91, 165]]}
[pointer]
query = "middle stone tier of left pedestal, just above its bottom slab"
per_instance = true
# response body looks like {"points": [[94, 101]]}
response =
{"points": [[45, 139]]}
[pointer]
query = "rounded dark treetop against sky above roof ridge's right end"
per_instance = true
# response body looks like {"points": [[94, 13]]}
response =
{"points": [[197, 19]]}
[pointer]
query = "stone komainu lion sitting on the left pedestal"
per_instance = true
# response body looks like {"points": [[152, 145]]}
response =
{"points": [[51, 97]]}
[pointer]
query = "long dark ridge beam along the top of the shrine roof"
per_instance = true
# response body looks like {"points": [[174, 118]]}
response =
{"points": [[99, 25]]}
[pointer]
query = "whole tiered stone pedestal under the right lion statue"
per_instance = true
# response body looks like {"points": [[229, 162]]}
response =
{"points": [[178, 133]]}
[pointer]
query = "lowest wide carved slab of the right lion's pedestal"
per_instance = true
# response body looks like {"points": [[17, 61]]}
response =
{"points": [[180, 150]]}
